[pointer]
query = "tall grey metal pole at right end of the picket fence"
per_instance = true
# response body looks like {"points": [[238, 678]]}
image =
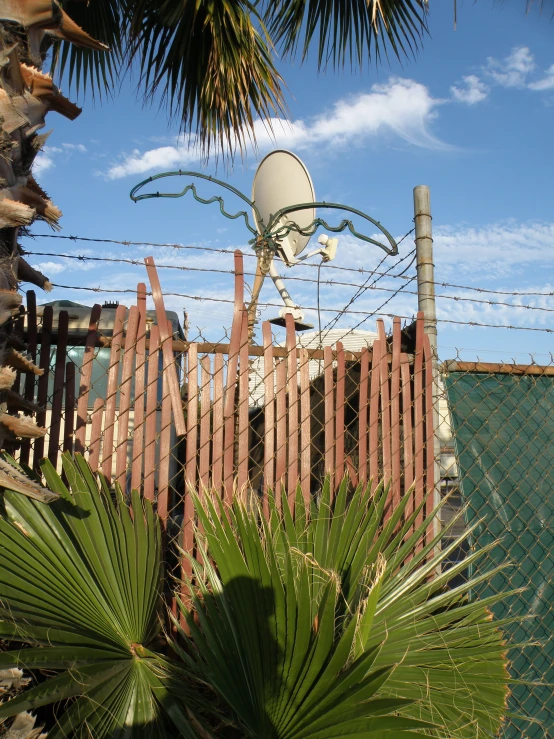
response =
{"points": [[426, 304]]}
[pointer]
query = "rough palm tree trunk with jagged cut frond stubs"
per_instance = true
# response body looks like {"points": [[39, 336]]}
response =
{"points": [[27, 30]]}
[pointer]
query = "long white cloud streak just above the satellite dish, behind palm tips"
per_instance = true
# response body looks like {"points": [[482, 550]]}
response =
{"points": [[402, 107]]}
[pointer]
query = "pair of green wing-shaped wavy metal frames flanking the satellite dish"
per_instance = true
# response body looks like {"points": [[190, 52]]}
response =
{"points": [[274, 231]]}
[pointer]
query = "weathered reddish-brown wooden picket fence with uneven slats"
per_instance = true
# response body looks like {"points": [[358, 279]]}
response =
{"points": [[211, 424]]}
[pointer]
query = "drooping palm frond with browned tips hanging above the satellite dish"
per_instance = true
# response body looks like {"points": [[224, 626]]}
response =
{"points": [[211, 63]]}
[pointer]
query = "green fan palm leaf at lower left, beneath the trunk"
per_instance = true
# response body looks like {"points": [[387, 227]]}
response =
{"points": [[80, 583]]}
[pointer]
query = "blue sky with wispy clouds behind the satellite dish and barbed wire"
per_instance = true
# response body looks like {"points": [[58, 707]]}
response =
{"points": [[471, 116]]}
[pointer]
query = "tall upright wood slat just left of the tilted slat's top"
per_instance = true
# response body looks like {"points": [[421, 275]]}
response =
{"points": [[140, 391]]}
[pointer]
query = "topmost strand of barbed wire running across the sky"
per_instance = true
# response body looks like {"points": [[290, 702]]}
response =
{"points": [[359, 270]]}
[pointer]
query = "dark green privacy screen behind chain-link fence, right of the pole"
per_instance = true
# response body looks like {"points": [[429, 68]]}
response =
{"points": [[503, 428]]}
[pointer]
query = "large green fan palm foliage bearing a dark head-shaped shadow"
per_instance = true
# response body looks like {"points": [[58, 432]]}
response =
{"points": [[333, 623]]}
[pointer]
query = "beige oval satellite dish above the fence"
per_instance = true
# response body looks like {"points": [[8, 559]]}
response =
{"points": [[282, 180]]}
